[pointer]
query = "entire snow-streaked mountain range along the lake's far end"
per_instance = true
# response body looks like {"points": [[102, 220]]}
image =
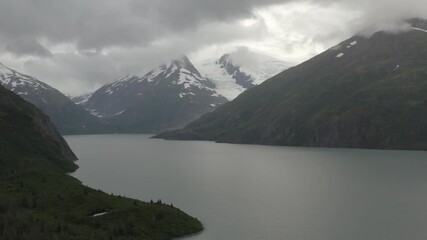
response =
{"points": [[166, 97]]}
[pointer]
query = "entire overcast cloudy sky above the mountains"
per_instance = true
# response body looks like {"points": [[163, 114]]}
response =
{"points": [[77, 46]]}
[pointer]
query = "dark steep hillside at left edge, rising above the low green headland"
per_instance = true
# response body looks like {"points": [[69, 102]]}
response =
{"points": [[27, 131]]}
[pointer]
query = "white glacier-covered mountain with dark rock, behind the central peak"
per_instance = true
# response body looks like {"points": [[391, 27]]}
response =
{"points": [[235, 72]]}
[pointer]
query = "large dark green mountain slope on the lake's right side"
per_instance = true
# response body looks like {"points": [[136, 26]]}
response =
{"points": [[363, 93]]}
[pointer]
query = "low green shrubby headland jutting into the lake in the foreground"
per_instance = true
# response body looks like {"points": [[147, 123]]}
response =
{"points": [[38, 202]]}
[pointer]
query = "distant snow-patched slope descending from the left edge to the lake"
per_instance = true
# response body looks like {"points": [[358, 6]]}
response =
{"points": [[67, 116]]}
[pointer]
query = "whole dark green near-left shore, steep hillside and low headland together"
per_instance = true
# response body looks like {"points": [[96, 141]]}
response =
{"points": [[39, 201]]}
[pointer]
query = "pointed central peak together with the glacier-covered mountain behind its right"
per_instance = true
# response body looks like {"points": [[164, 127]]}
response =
{"points": [[172, 95]]}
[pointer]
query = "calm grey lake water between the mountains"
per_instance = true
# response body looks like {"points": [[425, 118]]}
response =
{"points": [[245, 192]]}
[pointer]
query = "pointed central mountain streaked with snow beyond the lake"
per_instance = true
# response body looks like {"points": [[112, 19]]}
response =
{"points": [[167, 97]]}
